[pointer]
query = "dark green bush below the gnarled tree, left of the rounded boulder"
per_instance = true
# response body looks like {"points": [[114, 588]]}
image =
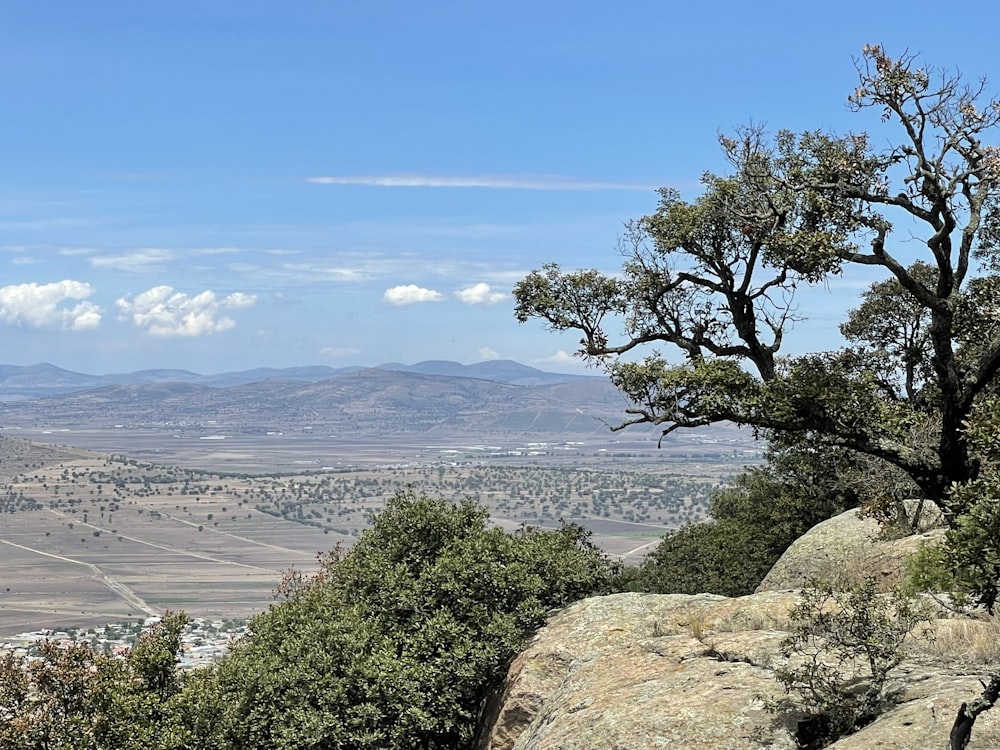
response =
{"points": [[753, 522]]}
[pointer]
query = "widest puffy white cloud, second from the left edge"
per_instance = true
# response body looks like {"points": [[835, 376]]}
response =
{"points": [[163, 312]]}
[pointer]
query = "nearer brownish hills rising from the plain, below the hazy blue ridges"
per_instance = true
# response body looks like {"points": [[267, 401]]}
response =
{"points": [[364, 402]]}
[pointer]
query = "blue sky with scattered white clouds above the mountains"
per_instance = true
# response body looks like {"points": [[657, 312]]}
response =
{"points": [[223, 185]]}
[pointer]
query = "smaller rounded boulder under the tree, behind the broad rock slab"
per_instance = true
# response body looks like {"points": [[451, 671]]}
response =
{"points": [[845, 549]]}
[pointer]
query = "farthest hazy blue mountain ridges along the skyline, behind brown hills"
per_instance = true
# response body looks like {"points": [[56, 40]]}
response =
{"points": [[42, 380]]}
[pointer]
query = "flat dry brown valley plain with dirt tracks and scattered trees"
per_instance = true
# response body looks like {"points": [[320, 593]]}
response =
{"points": [[115, 526]]}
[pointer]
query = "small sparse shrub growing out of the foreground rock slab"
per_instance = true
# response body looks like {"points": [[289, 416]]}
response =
{"points": [[842, 647]]}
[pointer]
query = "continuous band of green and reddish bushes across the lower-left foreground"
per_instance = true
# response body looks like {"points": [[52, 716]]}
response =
{"points": [[396, 643]]}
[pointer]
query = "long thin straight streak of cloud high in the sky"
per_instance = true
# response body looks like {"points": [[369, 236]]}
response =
{"points": [[494, 182]]}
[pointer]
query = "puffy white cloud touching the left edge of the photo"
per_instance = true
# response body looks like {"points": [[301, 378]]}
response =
{"points": [[41, 306]]}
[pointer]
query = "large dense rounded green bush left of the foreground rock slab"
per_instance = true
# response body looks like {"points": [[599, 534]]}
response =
{"points": [[396, 643]]}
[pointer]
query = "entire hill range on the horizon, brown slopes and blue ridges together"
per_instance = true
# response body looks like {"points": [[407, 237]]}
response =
{"points": [[432, 398]]}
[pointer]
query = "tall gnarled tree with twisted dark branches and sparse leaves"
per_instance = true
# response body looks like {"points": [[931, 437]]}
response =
{"points": [[716, 278]]}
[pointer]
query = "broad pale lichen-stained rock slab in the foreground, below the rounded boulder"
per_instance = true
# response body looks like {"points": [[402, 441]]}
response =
{"points": [[643, 671]]}
